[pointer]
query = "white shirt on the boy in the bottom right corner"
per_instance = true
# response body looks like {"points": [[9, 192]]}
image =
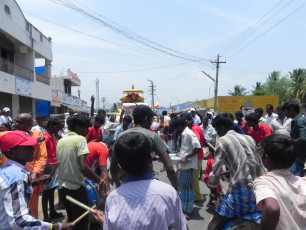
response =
{"points": [[289, 191]]}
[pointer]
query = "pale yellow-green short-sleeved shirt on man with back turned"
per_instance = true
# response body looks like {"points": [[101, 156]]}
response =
{"points": [[68, 149]]}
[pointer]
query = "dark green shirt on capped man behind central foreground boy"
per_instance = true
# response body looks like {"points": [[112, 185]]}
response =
{"points": [[157, 144]]}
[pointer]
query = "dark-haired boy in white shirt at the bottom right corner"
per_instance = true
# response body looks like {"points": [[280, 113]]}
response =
{"points": [[280, 195]]}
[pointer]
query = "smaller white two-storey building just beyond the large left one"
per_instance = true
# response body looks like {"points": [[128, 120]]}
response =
{"points": [[62, 99]]}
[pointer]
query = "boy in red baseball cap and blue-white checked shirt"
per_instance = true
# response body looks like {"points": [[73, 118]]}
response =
{"points": [[15, 185]]}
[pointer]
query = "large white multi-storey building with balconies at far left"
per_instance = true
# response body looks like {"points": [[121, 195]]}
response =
{"points": [[22, 48]]}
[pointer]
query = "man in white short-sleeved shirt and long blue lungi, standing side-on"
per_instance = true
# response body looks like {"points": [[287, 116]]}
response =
{"points": [[190, 147]]}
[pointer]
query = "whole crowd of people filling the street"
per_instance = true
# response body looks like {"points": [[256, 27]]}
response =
{"points": [[262, 158]]}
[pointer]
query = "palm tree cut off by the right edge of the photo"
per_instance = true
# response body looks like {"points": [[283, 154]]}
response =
{"points": [[298, 84]]}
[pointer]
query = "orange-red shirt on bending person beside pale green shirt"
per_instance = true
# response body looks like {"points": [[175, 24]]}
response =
{"points": [[98, 154]]}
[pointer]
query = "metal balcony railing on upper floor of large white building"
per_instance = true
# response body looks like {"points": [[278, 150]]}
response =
{"points": [[19, 71]]}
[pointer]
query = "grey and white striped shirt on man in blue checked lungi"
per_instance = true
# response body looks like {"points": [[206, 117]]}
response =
{"points": [[239, 153]]}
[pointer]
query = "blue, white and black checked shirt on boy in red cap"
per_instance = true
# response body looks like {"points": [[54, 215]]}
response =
{"points": [[15, 193]]}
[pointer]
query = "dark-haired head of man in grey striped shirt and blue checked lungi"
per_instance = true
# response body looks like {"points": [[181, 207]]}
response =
{"points": [[222, 124]]}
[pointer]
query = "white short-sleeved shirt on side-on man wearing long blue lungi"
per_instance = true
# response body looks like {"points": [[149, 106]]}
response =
{"points": [[189, 143]]}
